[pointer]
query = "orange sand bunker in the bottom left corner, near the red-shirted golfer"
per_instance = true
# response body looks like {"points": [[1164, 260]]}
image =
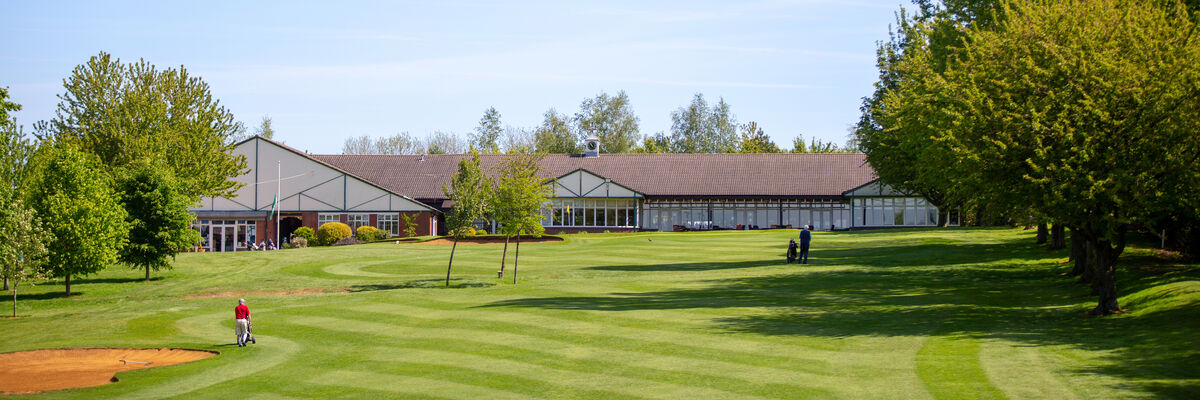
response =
{"points": [[79, 368]]}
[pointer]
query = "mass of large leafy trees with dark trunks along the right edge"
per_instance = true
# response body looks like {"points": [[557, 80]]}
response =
{"points": [[1083, 115]]}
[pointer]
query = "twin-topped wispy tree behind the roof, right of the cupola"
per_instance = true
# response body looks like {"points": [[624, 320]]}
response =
{"points": [[700, 129]]}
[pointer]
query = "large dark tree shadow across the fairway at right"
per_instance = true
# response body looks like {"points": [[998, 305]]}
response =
{"points": [[998, 291]]}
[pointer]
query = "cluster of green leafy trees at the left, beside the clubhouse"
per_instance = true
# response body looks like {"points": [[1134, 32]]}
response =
{"points": [[111, 177]]}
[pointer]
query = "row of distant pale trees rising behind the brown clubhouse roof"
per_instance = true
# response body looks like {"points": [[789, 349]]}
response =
{"points": [[697, 128]]}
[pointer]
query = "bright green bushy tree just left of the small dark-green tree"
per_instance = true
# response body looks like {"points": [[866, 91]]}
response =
{"points": [[73, 194]]}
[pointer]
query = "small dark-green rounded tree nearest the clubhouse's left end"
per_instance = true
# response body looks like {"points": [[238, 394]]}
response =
{"points": [[157, 213]]}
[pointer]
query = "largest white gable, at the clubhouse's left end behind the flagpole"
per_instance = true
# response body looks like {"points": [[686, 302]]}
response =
{"points": [[303, 186]]}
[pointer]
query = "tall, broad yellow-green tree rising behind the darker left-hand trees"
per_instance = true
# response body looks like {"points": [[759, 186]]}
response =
{"points": [[127, 114]]}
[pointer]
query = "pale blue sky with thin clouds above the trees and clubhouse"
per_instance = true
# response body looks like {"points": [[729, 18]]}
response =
{"points": [[327, 71]]}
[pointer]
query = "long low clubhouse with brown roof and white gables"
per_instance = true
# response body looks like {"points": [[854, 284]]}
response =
{"points": [[592, 193]]}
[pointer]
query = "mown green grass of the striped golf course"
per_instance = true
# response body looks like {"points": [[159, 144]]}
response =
{"points": [[922, 314]]}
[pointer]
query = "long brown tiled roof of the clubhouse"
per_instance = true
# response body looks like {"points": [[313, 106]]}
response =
{"points": [[652, 175]]}
